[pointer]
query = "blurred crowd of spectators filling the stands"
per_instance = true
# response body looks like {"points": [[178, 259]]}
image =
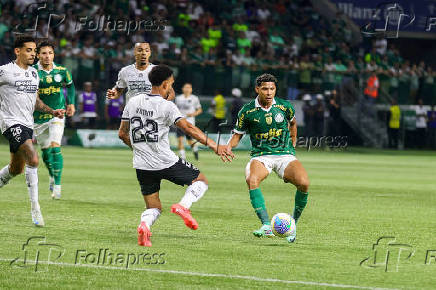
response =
{"points": [[220, 46]]}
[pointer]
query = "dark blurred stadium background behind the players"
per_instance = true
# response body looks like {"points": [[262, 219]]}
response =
{"points": [[324, 63]]}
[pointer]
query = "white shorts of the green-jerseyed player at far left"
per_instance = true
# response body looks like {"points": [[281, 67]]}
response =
{"points": [[48, 132]]}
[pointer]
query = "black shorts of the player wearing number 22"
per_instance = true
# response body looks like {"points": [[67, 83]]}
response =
{"points": [[181, 173]]}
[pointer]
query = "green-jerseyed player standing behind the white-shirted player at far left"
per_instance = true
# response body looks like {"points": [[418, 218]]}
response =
{"points": [[49, 129]]}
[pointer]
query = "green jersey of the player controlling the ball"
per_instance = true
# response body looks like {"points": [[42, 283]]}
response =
{"points": [[268, 129]]}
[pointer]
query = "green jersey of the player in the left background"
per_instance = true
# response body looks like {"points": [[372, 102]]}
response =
{"points": [[50, 90]]}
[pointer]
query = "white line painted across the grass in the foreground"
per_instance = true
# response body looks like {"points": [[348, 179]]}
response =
{"points": [[199, 274]]}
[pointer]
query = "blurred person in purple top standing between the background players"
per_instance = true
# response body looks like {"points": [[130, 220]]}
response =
{"points": [[88, 106]]}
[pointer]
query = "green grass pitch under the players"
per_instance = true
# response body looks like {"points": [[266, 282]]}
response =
{"points": [[356, 196]]}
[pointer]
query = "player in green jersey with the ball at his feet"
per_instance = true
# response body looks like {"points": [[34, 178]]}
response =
{"points": [[272, 127]]}
